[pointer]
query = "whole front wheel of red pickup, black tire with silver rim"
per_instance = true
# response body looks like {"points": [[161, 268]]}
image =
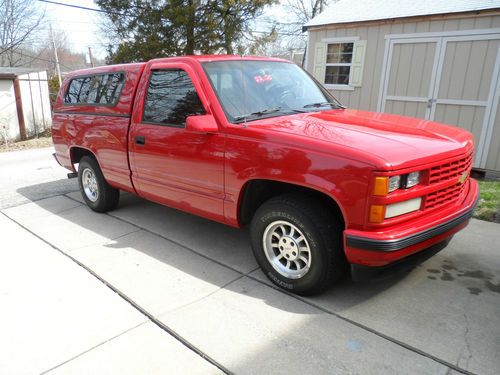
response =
{"points": [[298, 244]]}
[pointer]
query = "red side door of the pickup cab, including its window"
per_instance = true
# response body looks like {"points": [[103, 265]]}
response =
{"points": [[170, 164]]}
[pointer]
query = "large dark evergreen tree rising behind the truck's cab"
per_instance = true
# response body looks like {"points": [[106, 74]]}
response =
{"points": [[145, 29]]}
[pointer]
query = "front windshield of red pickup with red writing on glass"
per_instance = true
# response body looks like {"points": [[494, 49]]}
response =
{"points": [[253, 89]]}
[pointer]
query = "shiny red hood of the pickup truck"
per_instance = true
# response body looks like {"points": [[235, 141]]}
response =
{"points": [[388, 141]]}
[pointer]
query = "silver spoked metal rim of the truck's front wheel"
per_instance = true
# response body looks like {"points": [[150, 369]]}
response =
{"points": [[287, 249]]}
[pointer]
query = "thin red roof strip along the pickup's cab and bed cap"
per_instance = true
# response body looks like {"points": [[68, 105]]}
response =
{"points": [[189, 58]]}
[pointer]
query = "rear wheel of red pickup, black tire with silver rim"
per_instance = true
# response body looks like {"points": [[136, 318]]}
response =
{"points": [[96, 192]]}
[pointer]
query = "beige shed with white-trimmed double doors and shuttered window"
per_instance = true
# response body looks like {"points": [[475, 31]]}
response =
{"points": [[437, 61]]}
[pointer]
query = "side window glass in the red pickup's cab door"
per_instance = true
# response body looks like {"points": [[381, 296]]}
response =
{"points": [[171, 97]]}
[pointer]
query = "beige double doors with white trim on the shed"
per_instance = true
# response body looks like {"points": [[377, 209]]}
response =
{"points": [[452, 79]]}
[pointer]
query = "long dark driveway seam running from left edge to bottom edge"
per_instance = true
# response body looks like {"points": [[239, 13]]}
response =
{"points": [[157, 322]]}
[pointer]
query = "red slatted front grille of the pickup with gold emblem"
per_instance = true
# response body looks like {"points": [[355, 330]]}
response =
{"points": [[450, 171]]}
